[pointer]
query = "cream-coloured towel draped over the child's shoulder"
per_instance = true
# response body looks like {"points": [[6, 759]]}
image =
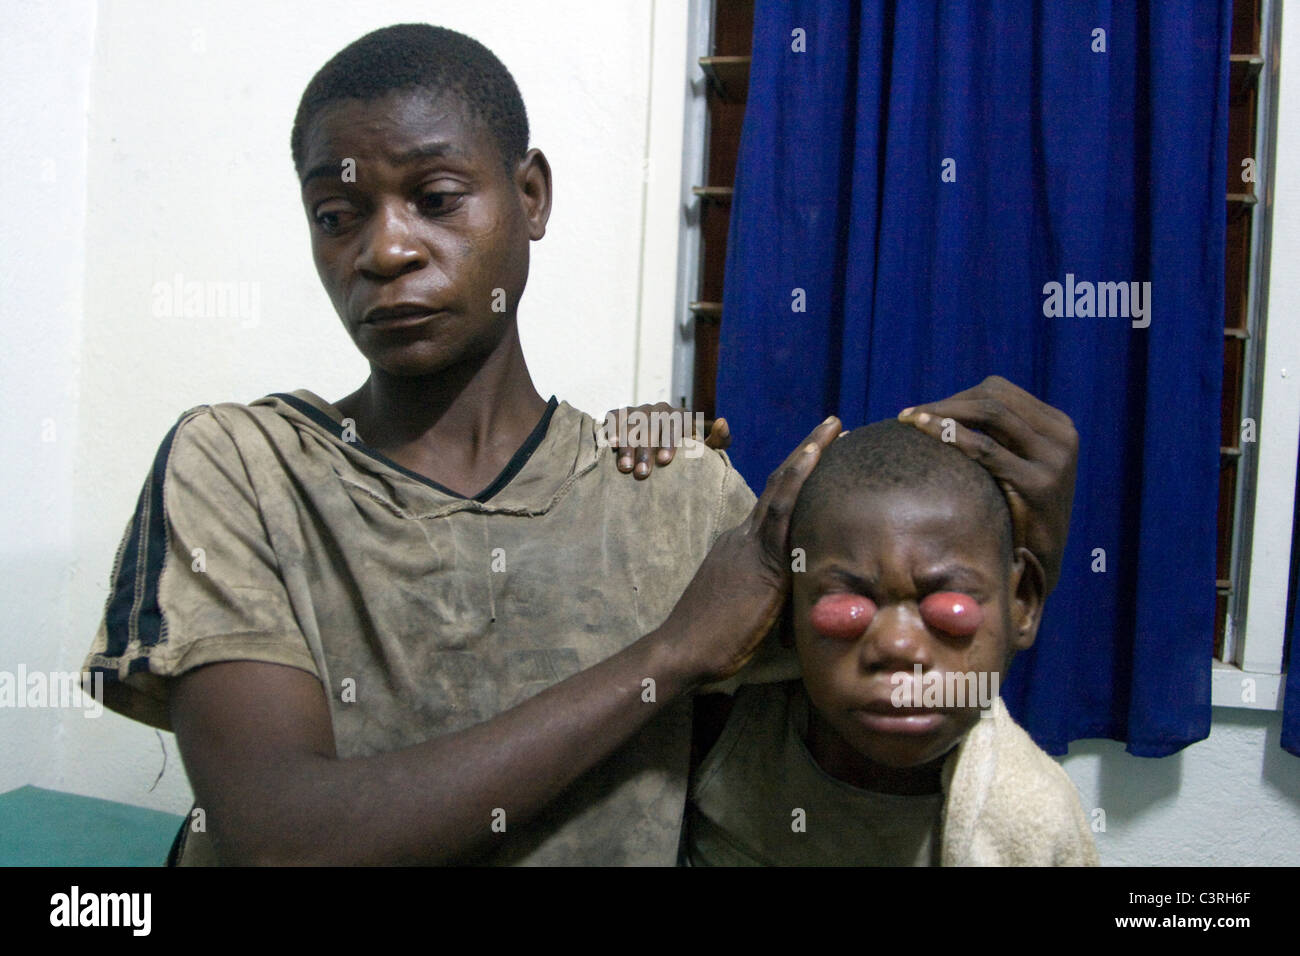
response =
{"points": [[1009, 804]]}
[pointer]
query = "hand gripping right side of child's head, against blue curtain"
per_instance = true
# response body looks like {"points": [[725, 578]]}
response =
{"points": [[1029, 447]]}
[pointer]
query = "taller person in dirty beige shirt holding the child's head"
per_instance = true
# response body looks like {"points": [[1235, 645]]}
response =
{"points": [[432, 622]]}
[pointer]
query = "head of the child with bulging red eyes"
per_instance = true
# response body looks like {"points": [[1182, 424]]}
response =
{"points": [[911, 565]]}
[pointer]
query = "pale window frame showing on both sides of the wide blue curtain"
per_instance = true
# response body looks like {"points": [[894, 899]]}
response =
{"points": [[1267, 479]]}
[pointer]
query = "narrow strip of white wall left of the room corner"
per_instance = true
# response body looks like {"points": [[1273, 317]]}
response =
{"points": [[46, 77]]}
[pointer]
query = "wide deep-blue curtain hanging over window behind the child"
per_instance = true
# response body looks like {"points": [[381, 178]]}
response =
{"points": [[912, 179]]}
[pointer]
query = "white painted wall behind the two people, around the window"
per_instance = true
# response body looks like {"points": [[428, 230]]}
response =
{"points": [[150, 140]]}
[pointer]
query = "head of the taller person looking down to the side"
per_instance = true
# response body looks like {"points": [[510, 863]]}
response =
{"points": [[422, 194]]}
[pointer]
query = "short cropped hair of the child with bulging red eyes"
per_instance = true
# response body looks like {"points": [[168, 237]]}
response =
{"points": [[891, 456]]}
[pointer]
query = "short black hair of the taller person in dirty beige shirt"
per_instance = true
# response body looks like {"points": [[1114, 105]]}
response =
{"points": [[419, 57]]}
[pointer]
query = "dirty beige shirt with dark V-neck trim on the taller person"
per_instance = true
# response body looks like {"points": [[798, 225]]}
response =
{"points": [[263, 535]]}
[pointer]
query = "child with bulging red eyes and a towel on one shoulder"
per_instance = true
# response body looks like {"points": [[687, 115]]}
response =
{"points": [[895, 749]]}
